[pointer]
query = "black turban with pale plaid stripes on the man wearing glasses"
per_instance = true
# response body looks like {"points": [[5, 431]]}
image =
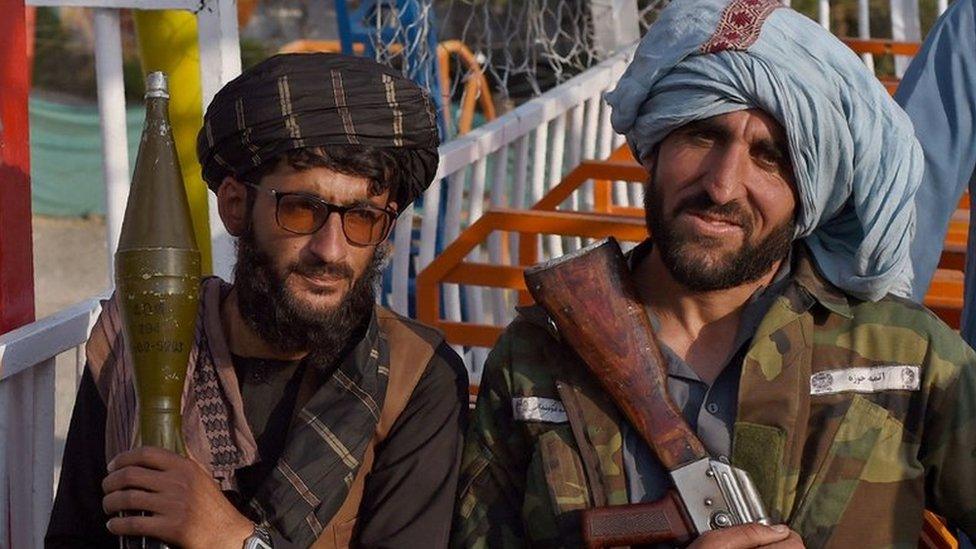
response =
{"points": [[302, 100]]}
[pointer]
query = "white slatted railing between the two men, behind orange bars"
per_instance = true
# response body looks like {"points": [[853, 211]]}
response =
{"points": [[510, 162]]}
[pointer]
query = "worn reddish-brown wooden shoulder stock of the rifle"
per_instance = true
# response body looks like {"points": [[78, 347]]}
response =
{"points": [[590, 297]]}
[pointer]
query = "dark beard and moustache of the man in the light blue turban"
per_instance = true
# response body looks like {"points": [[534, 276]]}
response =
{"points": [[678, 251]]}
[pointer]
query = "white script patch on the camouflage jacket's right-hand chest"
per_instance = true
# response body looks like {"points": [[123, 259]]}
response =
{"points": [[868, 379]]}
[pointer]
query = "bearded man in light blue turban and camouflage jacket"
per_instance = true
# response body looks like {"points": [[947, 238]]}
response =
{"points": [[780, 191]]}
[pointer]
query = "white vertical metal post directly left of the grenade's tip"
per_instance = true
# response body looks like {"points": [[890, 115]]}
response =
{"points": [[111, 110]]}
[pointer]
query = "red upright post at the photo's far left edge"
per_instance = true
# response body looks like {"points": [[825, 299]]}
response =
{"points": [[16, 251]]}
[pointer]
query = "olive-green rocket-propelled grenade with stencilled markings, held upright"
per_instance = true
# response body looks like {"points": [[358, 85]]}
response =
{"points": [[157, 277]]}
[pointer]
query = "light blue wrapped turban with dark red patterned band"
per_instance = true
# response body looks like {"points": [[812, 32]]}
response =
{"points": [[855, 158]]}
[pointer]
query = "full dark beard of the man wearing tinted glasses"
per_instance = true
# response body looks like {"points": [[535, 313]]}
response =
{"points": [[283, 322]]}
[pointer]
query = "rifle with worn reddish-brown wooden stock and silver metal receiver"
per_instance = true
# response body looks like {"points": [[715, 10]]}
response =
{"points": [[592, 300]]}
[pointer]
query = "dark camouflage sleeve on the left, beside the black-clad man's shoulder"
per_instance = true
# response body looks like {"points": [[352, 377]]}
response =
{"points": [[492, 480]]}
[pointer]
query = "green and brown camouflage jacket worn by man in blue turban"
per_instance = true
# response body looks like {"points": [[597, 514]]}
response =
{"points": [[842, 468]]}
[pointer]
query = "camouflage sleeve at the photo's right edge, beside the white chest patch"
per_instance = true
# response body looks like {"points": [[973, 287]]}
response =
{"points": [[948, 444]]}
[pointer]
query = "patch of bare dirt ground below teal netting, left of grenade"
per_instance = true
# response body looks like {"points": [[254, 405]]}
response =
{"points": [[70, 262]]}
